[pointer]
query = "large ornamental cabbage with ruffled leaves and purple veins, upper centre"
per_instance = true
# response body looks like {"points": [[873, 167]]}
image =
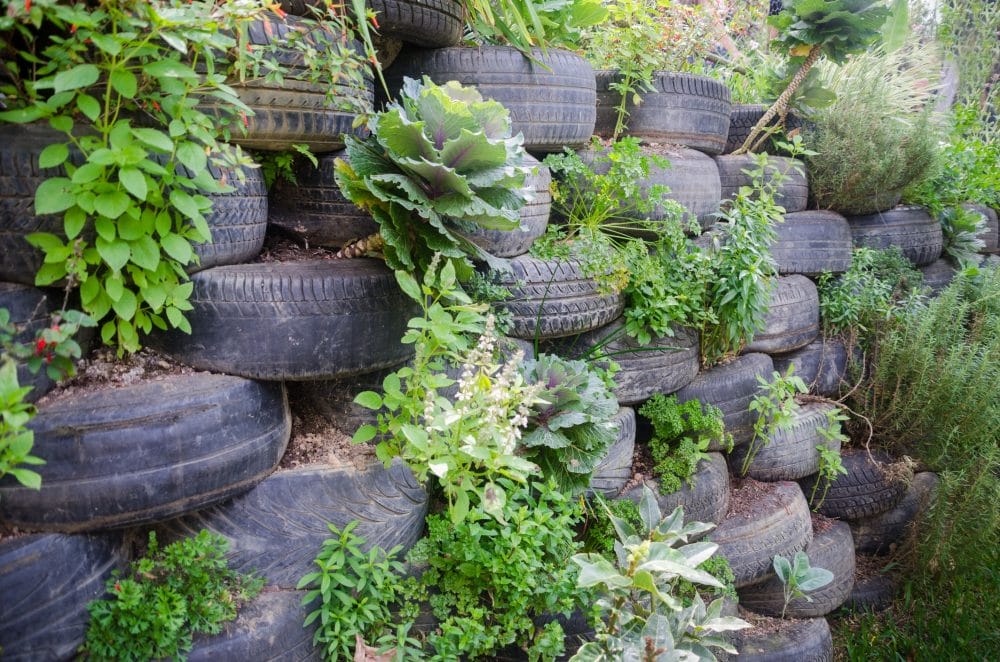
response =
{"points": [[438, 163]]}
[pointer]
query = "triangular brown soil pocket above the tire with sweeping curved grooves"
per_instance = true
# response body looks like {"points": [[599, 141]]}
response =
{"points": [[316, 441]]}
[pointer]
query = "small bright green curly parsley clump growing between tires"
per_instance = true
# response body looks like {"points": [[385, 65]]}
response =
{"points": [[681, 435]]}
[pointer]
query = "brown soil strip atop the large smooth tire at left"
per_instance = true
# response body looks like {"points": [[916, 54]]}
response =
{"points": [[103, 370]]}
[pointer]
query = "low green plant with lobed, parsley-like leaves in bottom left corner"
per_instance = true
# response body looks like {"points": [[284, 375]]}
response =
{"points": [[165, 598]]}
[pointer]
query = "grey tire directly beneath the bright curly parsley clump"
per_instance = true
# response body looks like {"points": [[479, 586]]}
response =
{"points": [[705, 500]]}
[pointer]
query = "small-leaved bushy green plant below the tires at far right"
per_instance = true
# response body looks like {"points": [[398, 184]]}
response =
{"points": [[878, 285]]}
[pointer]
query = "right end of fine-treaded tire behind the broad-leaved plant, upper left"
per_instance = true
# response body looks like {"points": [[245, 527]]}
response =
{"points": [[238, 220]]}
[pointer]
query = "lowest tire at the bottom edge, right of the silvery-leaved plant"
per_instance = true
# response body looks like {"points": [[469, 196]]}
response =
{"points": [[808, 640]]}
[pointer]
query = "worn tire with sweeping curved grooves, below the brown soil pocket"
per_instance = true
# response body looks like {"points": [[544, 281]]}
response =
{"points": [[278, 527]]}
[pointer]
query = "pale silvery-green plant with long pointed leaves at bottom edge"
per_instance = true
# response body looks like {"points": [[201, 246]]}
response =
{"points": [[643, 617]]}
